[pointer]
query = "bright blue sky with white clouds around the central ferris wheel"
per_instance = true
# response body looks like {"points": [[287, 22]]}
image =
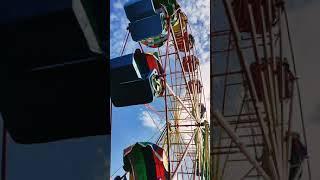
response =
{"points": [[133, 124]]}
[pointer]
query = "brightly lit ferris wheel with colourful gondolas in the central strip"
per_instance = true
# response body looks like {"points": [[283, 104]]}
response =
{"points": [[163, 74]]}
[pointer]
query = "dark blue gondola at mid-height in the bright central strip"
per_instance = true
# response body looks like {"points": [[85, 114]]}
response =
{"points": [[135, 79]]}
